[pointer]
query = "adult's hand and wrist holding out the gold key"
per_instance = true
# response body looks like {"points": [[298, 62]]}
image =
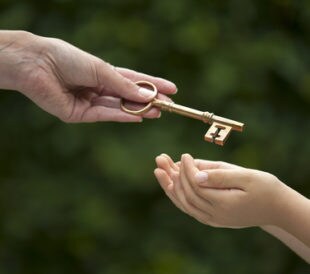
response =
{"points": [[69, 83]]}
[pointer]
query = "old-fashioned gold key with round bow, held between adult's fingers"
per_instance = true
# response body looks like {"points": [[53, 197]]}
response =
{"points": [[220, 127]]}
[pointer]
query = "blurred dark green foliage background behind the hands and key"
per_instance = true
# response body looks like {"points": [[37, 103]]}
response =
{"points": [[82, 198]]}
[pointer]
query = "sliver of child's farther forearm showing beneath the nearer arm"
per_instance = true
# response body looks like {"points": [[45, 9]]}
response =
{"points": [[292, 242]]}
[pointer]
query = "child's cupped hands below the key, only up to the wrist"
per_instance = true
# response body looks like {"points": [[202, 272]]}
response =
{"points": [[221, 194]]}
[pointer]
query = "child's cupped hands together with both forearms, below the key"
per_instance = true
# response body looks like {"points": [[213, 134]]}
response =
{"points": [[220, 194]]}
